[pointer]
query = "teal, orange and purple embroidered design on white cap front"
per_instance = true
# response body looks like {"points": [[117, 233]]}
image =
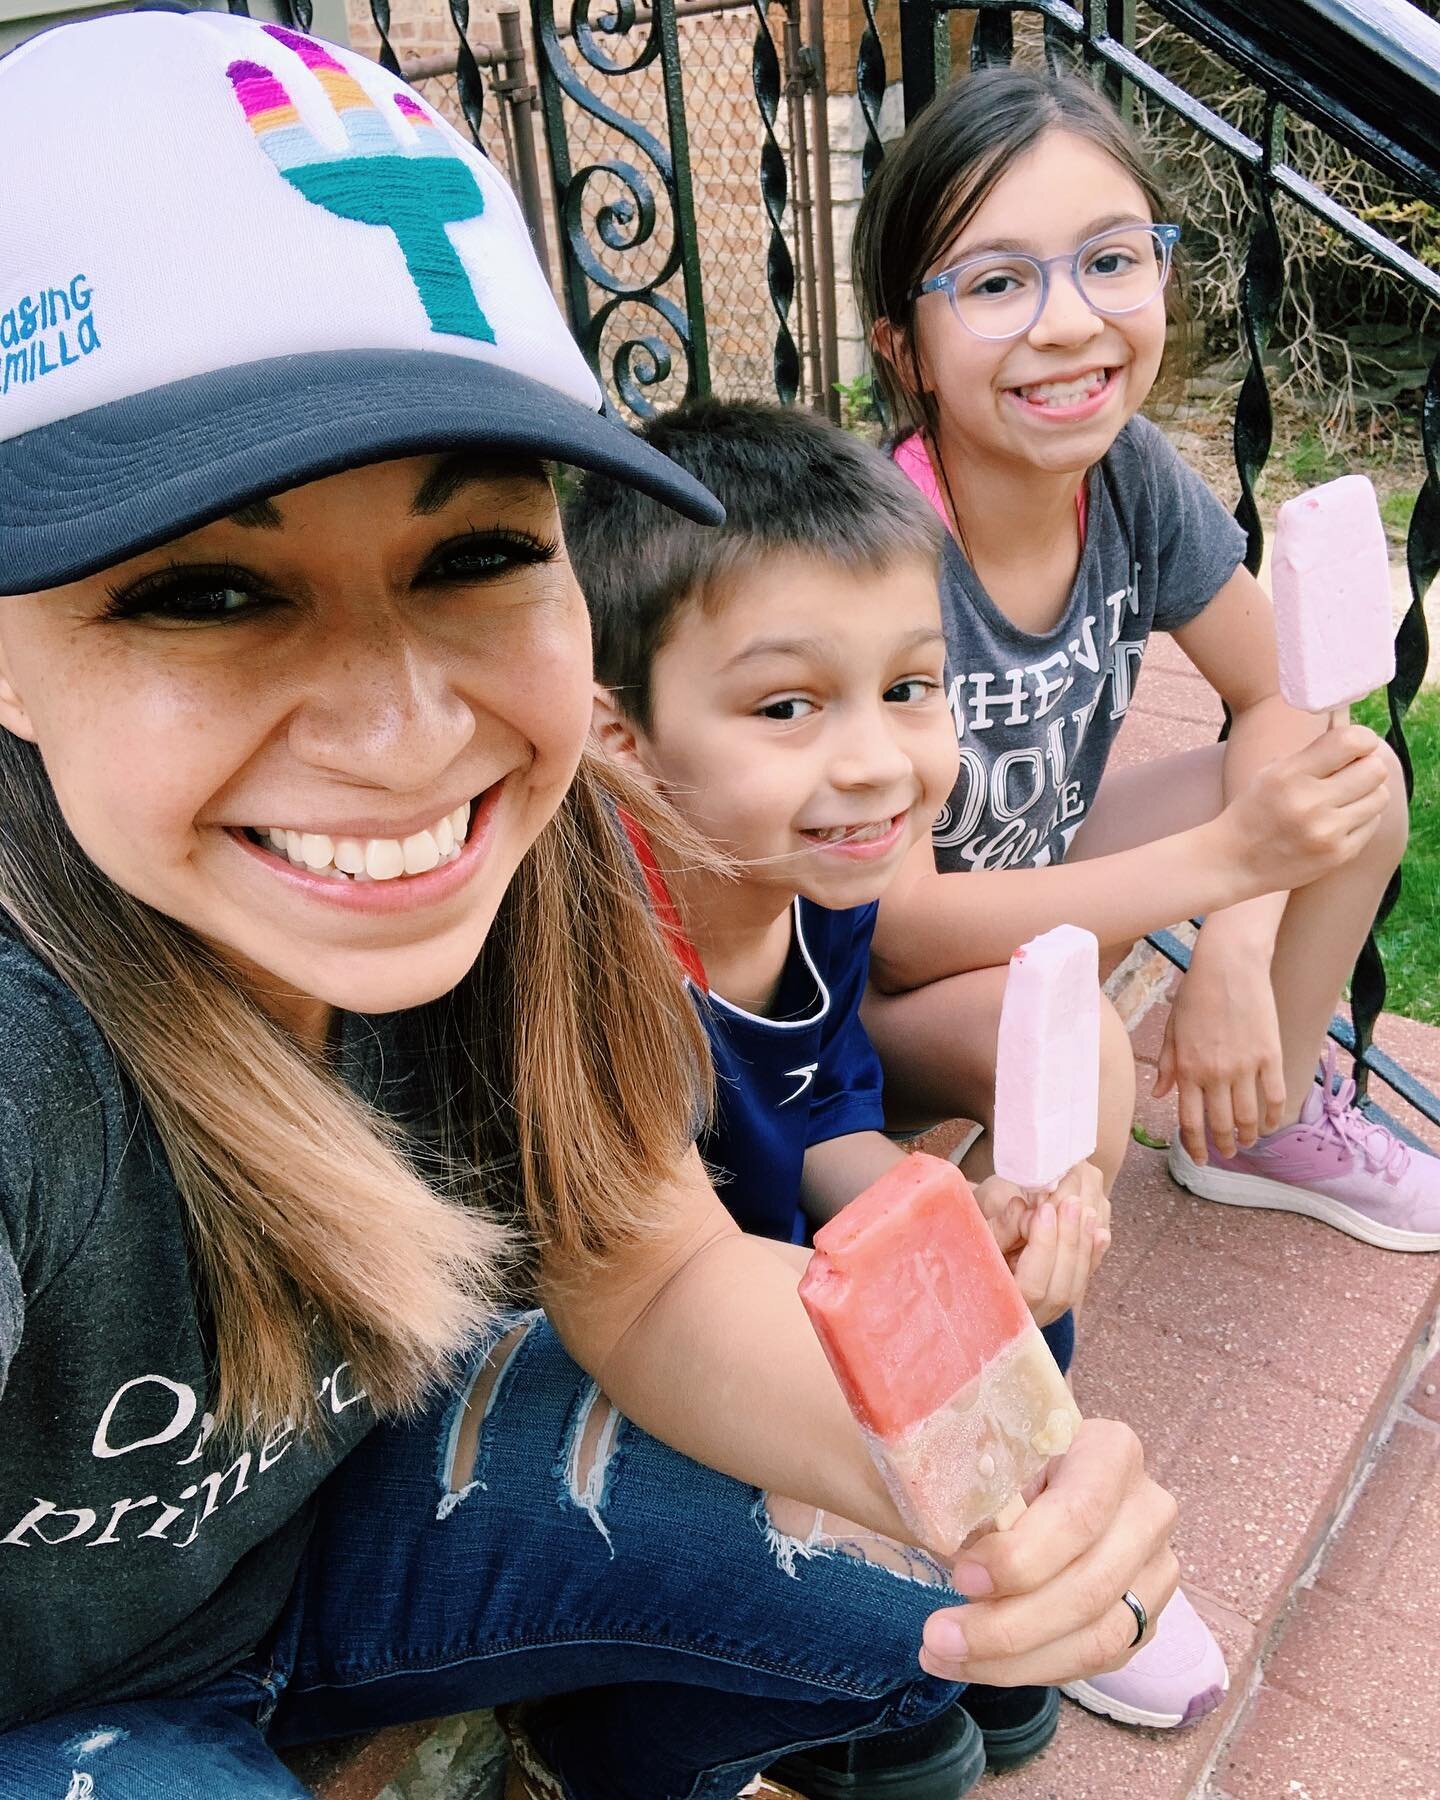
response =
{"points": [[413, 190]]}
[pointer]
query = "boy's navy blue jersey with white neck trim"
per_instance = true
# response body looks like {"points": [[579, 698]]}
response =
{"points": [[800, 1077]]}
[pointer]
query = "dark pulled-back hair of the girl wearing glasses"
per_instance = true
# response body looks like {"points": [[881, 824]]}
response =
{"points": [[935, 181]]}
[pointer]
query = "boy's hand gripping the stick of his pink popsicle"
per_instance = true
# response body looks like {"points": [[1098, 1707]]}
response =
{"points": [[1054, 1246]]}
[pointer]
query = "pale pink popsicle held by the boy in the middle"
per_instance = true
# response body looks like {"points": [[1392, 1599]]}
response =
{"points": [[1048, 1061]]}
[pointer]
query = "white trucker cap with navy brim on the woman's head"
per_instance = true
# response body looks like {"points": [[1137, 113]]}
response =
{"points": [[235, 260]]}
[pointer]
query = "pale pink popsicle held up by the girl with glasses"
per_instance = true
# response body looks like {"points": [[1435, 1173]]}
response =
{"points": [[1331, 584]]}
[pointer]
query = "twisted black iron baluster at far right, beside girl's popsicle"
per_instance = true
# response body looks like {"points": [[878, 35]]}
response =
{"points": [[1412, 654]]}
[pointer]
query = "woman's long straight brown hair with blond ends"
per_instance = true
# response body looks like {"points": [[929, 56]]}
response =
{"points": [[568, 1072]]}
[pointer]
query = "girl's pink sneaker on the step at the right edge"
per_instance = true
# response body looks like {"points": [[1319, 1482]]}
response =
{"points": [[1335, 1165]]}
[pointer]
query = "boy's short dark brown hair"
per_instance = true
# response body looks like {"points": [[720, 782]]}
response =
{"points": [[789, 481]]}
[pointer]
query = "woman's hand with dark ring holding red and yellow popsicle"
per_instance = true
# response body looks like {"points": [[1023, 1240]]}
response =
{"points": [[1047, 1596]]}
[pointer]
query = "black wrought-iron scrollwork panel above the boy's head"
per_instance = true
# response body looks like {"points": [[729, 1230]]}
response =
{"points": [[629, 222]]}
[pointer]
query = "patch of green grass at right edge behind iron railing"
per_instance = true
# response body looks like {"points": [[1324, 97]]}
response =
{"points": [[1410, 939]]}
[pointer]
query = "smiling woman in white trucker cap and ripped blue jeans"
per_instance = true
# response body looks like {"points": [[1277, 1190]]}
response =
{"points": [[332, 1021]]}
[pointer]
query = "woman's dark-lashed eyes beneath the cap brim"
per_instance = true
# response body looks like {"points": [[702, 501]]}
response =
{"points": [[220, 593]]}
